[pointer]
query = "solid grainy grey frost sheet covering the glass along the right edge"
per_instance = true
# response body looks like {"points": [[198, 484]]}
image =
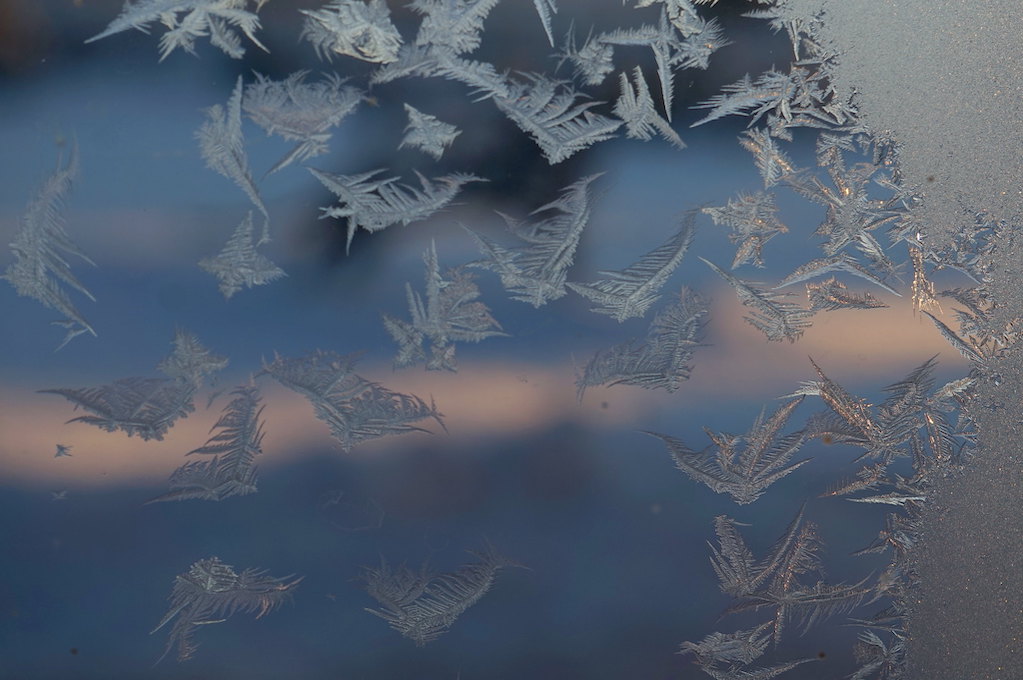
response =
{"points": [[946, 78]]}
